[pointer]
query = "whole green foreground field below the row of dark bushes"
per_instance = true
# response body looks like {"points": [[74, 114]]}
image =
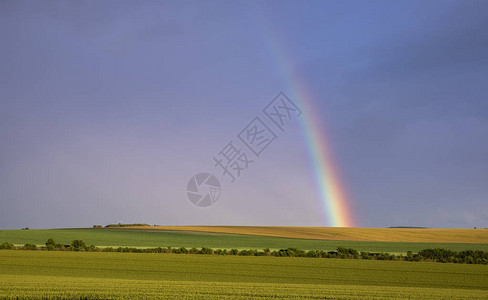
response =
{"points": [[53, 274]]}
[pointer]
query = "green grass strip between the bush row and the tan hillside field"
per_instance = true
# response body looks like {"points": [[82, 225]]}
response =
{"points": [[162, 238]]}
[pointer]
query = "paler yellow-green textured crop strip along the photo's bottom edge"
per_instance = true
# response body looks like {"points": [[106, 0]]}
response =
{"points": [[38, 287]]}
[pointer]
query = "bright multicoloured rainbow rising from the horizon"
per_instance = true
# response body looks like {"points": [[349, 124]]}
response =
{"points": [[330, 189]]}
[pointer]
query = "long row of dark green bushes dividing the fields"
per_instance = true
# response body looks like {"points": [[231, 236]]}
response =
{"points": [[436, 254]]}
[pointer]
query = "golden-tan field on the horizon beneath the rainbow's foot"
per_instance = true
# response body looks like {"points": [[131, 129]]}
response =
{"points": [[347, 234]]}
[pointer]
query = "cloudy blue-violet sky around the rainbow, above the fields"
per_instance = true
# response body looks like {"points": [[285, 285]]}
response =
{"points": [[108, 108]]}
